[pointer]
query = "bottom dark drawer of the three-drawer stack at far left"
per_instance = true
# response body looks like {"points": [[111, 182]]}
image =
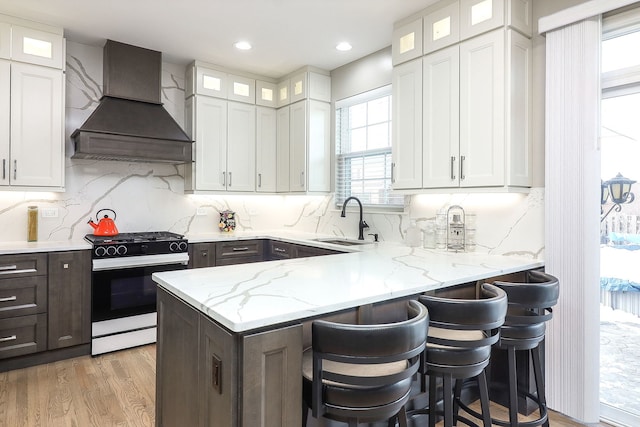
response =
{"points": [[23, 335]]}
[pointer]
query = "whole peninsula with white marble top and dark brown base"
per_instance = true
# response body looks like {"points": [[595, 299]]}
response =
{"points": [[230, 339]]}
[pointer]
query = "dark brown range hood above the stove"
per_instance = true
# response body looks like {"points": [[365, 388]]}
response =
{"points": [[130, 122]]}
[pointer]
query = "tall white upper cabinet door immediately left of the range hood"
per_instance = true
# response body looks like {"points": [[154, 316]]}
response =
{"points": [[37, 156]]}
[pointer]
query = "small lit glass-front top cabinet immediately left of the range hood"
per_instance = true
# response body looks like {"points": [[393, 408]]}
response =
{"points": [[37, 47]]}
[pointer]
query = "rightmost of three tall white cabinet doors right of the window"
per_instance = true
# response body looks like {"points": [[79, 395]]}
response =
{"points": [[482, 135]]}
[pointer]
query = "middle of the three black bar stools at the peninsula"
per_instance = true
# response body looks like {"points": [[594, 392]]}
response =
{"points": [[461, 333]]}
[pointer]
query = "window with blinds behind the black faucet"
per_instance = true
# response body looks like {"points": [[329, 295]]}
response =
{"points": [[363, 150]]}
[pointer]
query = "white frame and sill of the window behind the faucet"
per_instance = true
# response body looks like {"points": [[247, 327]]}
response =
{"points": [[341, 192]]}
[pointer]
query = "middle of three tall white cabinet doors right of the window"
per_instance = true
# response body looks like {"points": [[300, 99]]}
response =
{"points": [[441, 118]]}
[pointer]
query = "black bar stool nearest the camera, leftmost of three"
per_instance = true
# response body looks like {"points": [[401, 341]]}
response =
{"points": [[363, 373]]}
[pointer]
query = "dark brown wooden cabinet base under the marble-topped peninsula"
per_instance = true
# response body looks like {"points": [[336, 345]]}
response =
{"points": [[207, 376]]}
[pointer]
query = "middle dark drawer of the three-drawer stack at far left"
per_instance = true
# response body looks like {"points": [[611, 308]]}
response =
{"points": [[20, 297]]}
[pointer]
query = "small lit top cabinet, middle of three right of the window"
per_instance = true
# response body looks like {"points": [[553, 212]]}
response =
{"points": [[442, 27]]}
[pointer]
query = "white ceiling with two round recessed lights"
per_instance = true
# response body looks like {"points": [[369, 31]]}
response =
{"points": [[285, 34]]}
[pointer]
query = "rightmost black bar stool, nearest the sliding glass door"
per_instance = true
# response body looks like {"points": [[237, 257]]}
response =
{"points": [[530, 305]]}
